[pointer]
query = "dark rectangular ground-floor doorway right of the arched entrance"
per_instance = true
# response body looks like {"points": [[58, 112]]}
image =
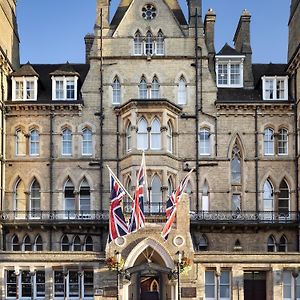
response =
{"points": [[254, 285]]}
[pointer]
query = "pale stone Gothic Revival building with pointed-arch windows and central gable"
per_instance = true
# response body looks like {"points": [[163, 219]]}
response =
{"points": [[153, 82]]}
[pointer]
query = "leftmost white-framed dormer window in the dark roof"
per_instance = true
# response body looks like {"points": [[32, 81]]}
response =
{"points": [[24, 88]]}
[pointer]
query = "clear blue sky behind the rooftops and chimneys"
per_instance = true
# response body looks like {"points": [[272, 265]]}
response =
{"points": [[52, 31]]}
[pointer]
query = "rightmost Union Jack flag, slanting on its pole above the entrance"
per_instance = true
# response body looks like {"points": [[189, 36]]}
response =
{"points": [[172, 205]]}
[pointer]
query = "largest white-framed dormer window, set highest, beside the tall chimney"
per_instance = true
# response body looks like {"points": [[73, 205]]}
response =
{"points": [[229, 71]]}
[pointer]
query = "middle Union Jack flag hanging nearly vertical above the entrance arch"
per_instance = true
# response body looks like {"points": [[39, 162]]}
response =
{"points": [[137, 220]]}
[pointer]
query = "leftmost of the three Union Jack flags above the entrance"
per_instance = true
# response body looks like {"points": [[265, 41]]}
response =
{"points": [[117, 224]]}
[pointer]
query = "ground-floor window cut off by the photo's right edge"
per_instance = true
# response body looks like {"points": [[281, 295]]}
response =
{"points": [[291, 285]]}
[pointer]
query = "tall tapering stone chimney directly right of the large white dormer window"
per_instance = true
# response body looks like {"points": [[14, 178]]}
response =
{"points": [[242, 44]]}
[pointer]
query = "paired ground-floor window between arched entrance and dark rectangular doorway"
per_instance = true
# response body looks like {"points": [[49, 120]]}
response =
{"points": [[217, 287]]}
